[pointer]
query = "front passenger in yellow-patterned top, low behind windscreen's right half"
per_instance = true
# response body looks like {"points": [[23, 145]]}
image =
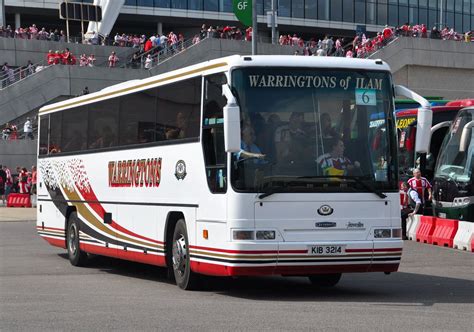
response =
{"points": [[334, 163]]}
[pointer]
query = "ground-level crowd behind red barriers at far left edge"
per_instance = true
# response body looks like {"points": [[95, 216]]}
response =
{"points": [[22, 181]]}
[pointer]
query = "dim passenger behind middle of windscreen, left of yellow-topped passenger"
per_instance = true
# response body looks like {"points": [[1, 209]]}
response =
{"points": [[289, 139]]}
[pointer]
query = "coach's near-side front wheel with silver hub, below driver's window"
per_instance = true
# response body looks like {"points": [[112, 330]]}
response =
{"points": [[185, 278]]}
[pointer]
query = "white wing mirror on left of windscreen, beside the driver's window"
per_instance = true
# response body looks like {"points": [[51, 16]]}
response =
{"points": [[231, 121]]}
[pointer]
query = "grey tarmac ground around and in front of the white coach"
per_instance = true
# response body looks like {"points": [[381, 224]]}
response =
{"points": [[40, 290]]}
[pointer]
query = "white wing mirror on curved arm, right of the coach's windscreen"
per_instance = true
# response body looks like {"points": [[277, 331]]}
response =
{"points": [[424, 118]]}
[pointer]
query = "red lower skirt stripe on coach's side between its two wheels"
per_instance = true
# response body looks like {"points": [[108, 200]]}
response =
{"points": [[133, 256]]}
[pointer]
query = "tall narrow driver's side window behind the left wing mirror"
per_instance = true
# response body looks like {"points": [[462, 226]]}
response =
{"points": [[213, 134]]}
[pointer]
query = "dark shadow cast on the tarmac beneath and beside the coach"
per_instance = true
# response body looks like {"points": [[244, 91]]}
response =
{"points": [[397, 289]]}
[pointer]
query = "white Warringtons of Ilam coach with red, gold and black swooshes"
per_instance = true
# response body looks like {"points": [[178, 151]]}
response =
{"points": [[252, 165]]}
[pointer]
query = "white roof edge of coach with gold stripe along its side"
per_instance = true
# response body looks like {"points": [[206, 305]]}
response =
{"points": [[215, 66]]}
